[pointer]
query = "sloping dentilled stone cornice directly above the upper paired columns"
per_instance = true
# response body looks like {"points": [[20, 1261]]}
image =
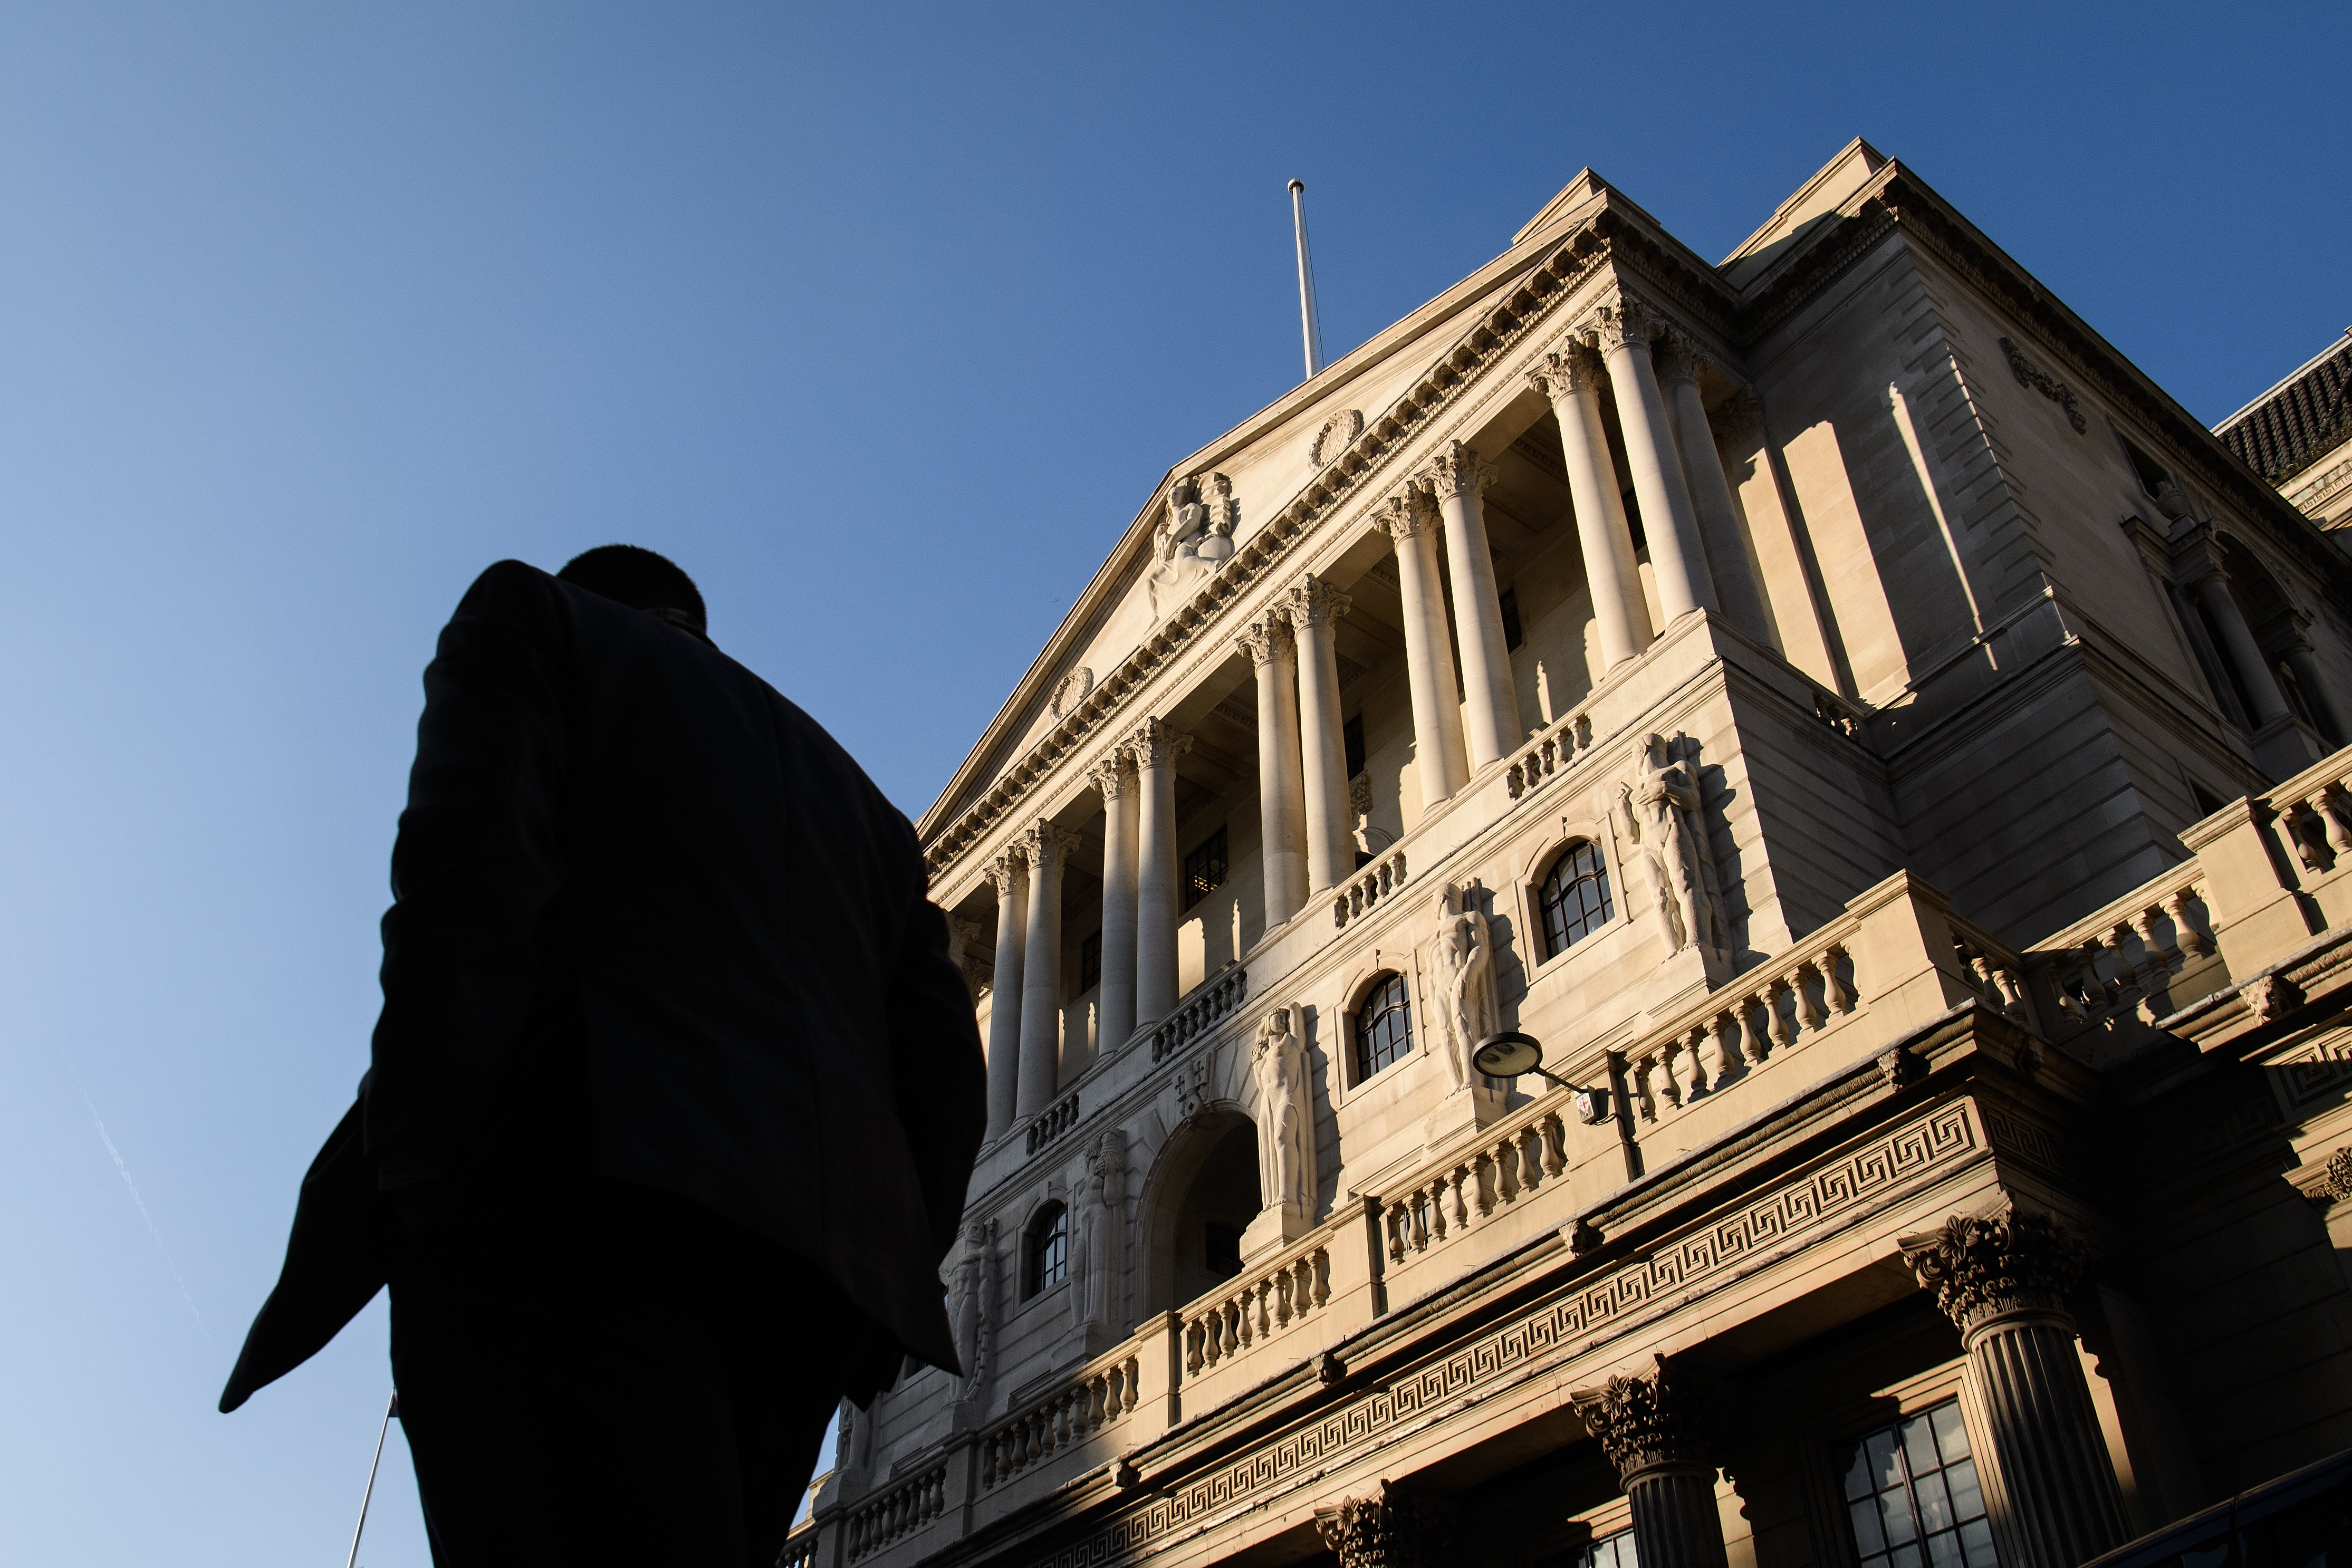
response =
{"points": [[1368, 464]]}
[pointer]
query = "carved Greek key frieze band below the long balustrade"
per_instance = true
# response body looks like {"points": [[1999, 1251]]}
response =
{"points": [[1685, 1264]]}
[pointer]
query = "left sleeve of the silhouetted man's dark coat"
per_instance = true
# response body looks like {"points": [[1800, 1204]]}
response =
{"points": [[476, 869]]}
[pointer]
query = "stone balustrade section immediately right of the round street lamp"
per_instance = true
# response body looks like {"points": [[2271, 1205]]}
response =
{"points": [[1744, 1024]]}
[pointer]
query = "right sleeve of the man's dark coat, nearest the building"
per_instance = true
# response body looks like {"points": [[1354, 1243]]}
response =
{"points": [[940, 1078]]}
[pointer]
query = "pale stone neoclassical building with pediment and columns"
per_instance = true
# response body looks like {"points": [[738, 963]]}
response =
{"points": [[1890, 758]]}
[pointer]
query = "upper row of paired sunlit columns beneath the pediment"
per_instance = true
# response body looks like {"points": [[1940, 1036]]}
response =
{"points": [[1462, 721]]}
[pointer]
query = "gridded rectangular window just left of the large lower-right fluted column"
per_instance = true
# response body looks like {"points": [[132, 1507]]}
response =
{"points": [[1913, 1499]]}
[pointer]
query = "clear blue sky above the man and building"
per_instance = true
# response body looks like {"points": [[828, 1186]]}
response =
{"points": [[883, 321]]}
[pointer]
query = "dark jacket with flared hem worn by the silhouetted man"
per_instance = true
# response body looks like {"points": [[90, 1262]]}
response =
{"points": [[629, 864]]}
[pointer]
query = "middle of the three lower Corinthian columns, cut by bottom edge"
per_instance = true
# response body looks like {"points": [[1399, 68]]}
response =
{"points": [[1657, 1433]]}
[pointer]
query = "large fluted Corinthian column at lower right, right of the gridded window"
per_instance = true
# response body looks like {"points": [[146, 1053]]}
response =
{"points": [[2005, 1280]]}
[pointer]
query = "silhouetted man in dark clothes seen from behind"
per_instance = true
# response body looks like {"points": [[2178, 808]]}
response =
{"points": [[674, 1094]]}
